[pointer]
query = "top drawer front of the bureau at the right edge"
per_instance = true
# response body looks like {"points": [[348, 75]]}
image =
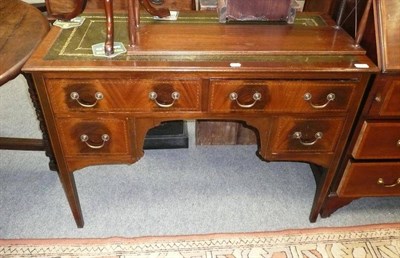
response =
{"points": [[387, 96]]}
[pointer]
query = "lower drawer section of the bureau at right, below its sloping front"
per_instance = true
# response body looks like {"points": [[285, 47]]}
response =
{"points": [[371, 166]]}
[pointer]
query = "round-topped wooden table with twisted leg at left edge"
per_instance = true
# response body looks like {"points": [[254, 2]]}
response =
{"points": [[22, 27]]}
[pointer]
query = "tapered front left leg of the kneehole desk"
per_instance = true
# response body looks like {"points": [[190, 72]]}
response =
{"points": [[68, 182]]}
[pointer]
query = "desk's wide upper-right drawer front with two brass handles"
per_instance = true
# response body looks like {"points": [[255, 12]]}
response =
{"points": [[280, 96]]}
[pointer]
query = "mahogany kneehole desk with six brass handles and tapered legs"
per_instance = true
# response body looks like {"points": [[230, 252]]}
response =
{"points": [[300, 98]]}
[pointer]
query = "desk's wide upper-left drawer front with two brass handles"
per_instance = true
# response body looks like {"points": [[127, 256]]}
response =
{"points": [[123, 95]]}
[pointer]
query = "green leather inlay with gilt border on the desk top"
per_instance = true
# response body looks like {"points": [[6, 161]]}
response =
{"points": [[76, 43]]}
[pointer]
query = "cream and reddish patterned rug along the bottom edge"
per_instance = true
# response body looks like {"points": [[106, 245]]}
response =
{"points": [[361, 241]]}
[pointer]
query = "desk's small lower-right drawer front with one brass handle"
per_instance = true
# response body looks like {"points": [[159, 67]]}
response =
{"points": [[306, 135]]}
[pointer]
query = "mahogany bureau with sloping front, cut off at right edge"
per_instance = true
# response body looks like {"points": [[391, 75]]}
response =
{"points": [[371, 164]]}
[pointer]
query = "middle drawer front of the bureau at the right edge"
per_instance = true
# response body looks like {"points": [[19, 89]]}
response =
{"points": [[378, 140]]}
